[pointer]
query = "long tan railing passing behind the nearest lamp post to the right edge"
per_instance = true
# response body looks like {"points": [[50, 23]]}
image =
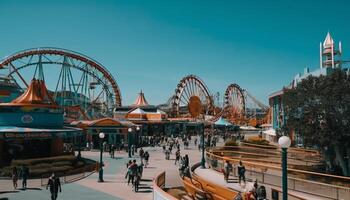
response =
{"points": [[271, 175]]}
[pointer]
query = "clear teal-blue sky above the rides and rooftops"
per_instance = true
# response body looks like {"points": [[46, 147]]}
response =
{"points": [[152, 44]]}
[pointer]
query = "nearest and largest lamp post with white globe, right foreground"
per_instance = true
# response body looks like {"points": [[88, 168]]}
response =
{"points": [[284, 142]]}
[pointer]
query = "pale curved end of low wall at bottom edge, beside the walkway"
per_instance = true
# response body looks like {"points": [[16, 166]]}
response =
{"points": [[158, 186]]}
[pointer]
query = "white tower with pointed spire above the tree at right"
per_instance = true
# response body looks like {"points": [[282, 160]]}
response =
{"points": [[330, 55]]}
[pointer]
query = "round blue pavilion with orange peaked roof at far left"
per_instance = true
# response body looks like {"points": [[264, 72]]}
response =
{"points": [[32, 126]]}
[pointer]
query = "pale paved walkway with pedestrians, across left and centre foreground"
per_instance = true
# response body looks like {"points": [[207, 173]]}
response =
{"points": [[115, 186]]}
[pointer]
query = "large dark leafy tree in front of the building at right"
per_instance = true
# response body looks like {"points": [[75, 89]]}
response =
{"points": [[318, 109]]}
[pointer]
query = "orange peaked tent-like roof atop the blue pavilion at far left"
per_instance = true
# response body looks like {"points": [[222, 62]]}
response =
{"points": [[36, 95]]}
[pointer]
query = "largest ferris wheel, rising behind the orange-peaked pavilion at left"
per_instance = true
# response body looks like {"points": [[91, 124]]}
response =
{"points": [[76, 82]]}
